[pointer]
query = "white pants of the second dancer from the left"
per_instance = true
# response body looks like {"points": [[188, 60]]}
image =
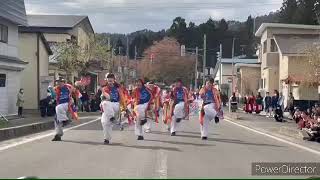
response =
{"points": [[110, 110]]}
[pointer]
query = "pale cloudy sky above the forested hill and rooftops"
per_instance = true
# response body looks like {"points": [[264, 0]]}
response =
{"points": [[124, 16]]}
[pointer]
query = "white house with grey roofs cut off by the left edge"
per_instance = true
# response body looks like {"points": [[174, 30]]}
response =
{"points": [[12, 14]]}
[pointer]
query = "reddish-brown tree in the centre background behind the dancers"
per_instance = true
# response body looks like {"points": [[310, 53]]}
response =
{"points": [[167, 64]]}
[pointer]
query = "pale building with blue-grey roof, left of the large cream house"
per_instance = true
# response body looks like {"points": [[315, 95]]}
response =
{"points": [[227, 73]]}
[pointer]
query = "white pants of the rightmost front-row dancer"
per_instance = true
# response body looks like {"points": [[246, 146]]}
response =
{"points": [[209, 114]]}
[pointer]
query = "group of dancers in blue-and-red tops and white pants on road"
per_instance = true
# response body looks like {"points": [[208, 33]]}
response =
{"points": [[141, 106]]}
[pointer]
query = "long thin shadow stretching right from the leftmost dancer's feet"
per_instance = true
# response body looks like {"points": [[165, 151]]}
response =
{"points": [[123, 145]]}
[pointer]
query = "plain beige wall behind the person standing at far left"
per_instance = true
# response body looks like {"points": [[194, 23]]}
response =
{"points": [[27, 52]]}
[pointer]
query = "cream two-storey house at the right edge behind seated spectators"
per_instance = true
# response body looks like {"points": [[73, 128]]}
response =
{"points": [[282, 54]]}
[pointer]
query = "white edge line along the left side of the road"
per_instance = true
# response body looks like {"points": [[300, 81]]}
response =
{"points": [[45, 135]]}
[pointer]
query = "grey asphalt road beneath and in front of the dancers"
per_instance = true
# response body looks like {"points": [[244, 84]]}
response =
{"points": [[228, 153]]}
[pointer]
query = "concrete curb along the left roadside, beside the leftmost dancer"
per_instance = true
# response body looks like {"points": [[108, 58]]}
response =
{"points": [[14, 132]]}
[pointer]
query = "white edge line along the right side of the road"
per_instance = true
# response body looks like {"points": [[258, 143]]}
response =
{"points": [[275, 138]]}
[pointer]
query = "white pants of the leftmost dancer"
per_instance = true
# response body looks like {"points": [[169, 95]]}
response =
{"points": [[61, 115]]}
